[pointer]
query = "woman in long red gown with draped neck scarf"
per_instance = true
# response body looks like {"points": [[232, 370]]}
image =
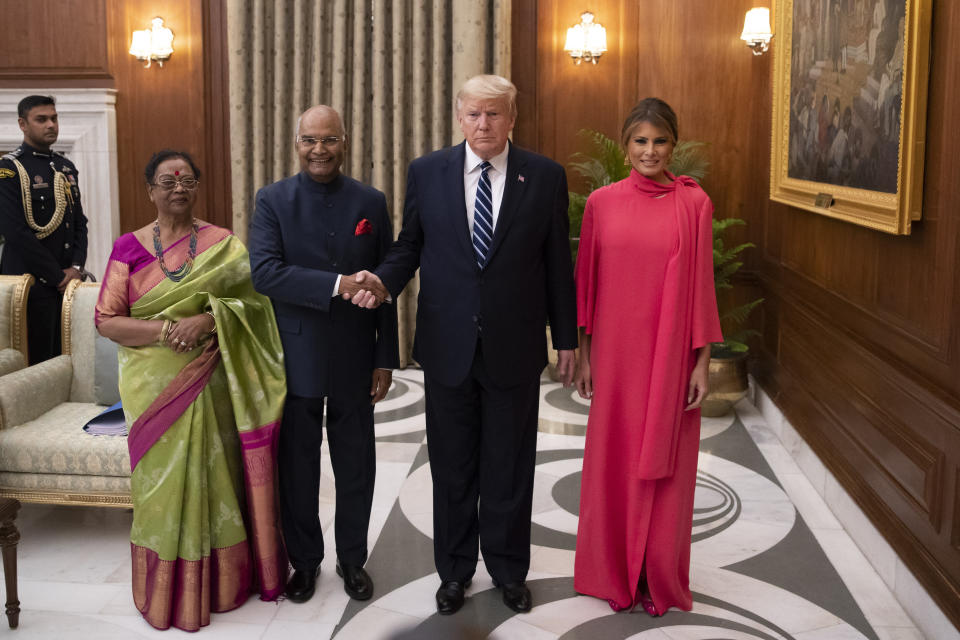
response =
{"points": [[648, 313]]}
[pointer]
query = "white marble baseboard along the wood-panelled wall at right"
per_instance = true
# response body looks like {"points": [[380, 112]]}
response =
{"points": [[914, 599]]}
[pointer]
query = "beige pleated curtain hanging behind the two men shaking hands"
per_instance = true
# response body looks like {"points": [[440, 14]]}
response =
{"points": [[391, 68]]}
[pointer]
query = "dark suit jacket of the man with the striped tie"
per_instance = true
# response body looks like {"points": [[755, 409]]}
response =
{"points": [[528, 276]]}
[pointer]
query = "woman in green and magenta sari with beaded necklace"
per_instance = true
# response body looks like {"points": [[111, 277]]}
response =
{"points": [[202, 384]]}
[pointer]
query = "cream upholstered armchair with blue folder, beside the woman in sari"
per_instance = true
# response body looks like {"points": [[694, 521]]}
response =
{"points": [[45, 456]]}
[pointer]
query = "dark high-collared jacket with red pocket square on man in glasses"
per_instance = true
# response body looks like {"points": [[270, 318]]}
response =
{"points": [[302, 235]]}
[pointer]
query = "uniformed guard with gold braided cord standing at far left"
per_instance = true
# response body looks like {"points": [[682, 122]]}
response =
{"points": [[42, 222]]}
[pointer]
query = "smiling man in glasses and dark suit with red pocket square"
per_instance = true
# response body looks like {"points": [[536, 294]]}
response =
{"points": [[306, 231]]}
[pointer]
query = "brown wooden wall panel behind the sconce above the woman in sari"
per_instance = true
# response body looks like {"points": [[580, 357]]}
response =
{"points": [[157, 108]]}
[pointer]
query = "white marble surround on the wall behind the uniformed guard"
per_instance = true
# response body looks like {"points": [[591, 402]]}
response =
{"points": [[88, 136]]}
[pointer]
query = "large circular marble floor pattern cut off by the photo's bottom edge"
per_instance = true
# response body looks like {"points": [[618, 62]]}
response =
{"points": [[726, 605]]}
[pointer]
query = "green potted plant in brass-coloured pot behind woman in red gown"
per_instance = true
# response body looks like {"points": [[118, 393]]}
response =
{"points": [[602, 164]]}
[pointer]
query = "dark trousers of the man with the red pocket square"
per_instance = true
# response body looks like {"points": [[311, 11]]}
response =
{"points": [[353, 456]]}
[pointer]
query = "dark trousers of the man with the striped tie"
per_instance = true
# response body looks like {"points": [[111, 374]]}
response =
{"points": [[482, 440]]}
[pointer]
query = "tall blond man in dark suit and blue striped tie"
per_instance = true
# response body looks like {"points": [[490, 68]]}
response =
{"points": [[486, 222]]}
